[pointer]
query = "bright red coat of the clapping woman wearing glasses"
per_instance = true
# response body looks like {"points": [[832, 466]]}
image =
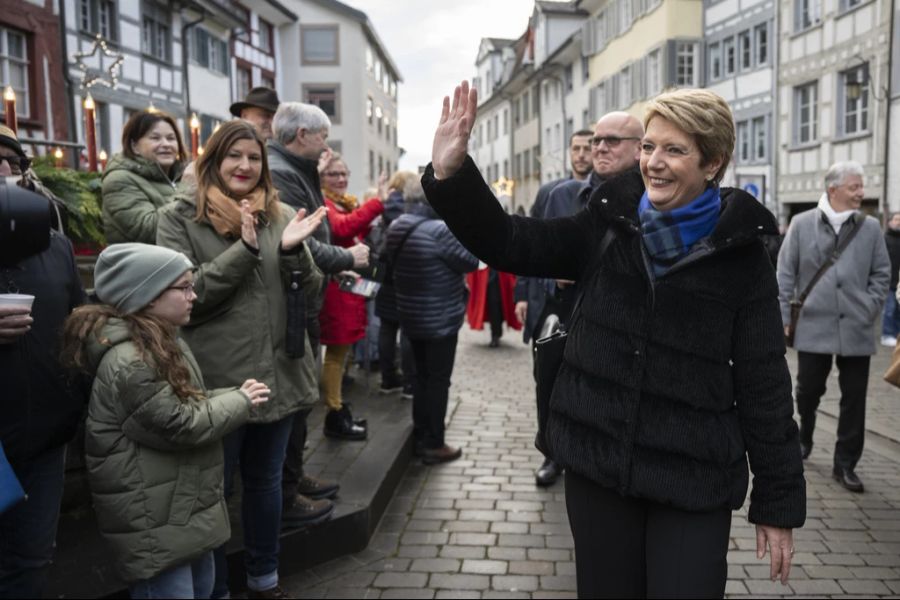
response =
{"points": [[343, 317]]}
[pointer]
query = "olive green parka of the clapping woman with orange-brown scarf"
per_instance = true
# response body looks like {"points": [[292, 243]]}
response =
{"points": [[239, 320]]}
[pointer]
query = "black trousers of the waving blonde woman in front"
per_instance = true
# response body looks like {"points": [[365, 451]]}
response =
{"points": [[630, 548]]}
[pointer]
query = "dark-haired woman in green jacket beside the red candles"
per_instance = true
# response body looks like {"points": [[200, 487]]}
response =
{"points": [[140, 180]]}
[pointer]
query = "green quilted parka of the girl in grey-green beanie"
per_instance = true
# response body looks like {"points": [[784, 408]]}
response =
{"points": [[155, 462]]}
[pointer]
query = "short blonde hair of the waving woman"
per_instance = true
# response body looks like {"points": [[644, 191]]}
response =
{"points": [[703, 115]]}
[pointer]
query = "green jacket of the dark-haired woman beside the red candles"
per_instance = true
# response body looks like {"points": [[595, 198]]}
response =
{"points": [[134, 189]]}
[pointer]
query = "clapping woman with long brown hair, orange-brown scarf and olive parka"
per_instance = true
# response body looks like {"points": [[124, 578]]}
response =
{"points": [[247, 246]]}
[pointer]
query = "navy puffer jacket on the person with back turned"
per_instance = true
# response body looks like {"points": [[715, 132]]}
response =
{"points": [[428, 275]]}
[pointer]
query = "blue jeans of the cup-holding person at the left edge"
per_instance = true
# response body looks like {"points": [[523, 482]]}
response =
{"points": [[28, 530]]}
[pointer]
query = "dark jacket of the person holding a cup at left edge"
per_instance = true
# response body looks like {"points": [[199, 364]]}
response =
{"points": [[41, 406]]}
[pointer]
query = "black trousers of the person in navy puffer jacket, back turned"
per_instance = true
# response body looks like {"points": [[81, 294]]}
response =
{"points": [[431, 390]]}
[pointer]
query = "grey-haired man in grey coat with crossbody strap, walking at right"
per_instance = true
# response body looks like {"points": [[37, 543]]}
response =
{"points": [[839, 315]]}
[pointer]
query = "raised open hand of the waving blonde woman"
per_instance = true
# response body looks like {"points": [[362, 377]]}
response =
{"points": [[451, 140]]}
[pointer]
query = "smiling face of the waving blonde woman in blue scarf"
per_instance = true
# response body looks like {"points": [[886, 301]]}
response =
{"points": [[671, 165]]}
